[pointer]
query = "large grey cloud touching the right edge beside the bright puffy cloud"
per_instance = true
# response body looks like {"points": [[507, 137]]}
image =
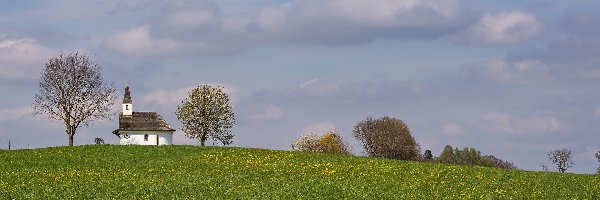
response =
{"points": [[572, 57]]}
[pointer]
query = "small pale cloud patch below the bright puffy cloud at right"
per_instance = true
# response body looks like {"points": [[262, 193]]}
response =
{"points": [[518, 72]]}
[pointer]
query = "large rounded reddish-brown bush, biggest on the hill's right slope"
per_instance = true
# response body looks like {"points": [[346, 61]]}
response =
{"points": [[388, 138]]}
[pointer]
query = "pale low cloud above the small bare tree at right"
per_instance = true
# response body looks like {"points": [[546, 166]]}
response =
{"points": [[536, 124]]}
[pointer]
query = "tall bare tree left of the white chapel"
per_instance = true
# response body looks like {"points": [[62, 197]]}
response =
{"points": [[71, 90]]}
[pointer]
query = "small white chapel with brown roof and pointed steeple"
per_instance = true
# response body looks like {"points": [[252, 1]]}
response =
{"points": [[142, 128]]}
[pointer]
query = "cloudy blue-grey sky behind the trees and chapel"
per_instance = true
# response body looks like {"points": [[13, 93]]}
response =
{"points": [[514, 79]]}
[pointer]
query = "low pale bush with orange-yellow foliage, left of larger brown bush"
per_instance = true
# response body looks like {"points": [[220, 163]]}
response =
{"points": [[330, 142]]}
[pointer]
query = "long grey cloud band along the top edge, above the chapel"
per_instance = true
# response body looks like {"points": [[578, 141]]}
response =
{"points": [[200, 28]]}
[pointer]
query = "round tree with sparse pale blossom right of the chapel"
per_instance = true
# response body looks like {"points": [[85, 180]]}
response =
{"points": [[205, 114]]}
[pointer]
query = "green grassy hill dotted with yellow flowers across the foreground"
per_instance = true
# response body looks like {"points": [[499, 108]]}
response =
{"points": [[176, 172]]}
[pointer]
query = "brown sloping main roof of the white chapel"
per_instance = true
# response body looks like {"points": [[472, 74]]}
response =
{"points": [[143, 121]]}
